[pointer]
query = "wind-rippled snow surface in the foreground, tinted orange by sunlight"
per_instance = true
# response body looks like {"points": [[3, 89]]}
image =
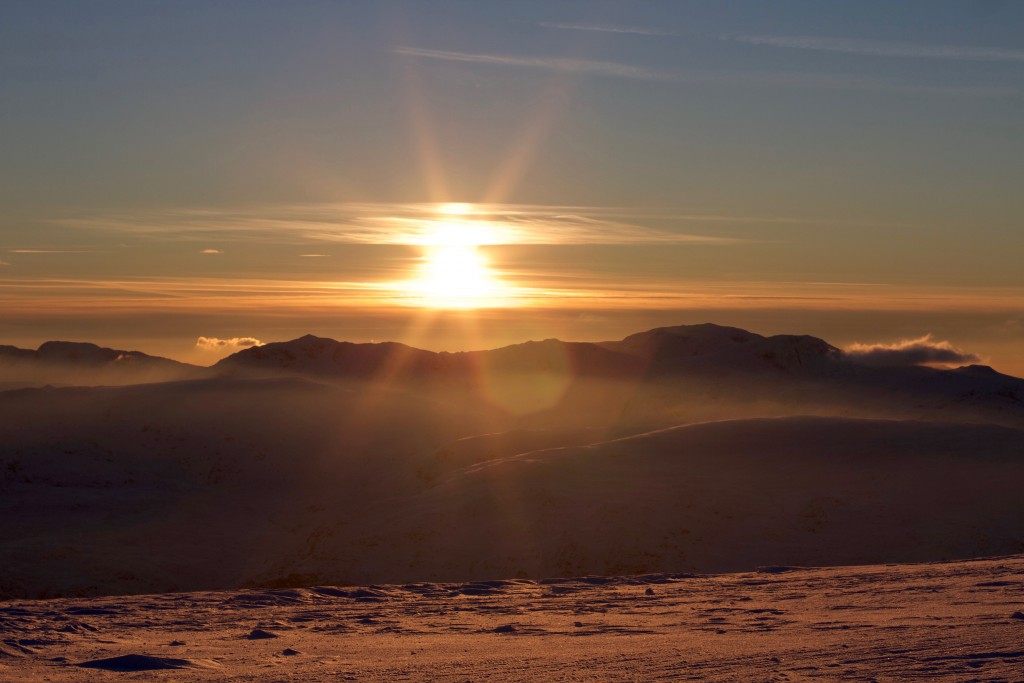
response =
{"points": [[938, 622]]}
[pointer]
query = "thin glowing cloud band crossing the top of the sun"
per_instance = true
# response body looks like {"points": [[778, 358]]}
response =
{"points": [[413, 225]]}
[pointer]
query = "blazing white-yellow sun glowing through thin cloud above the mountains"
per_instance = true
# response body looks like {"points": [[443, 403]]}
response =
{"points": [[454, 273]]}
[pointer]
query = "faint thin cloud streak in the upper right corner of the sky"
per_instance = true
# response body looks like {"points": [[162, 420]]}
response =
{"points": [[876, 49]]}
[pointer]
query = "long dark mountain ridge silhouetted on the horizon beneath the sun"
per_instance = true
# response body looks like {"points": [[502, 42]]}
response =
{"points": [[663, 376]]}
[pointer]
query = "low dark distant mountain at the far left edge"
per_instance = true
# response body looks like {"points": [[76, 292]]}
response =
{"points": [[82, 363]]}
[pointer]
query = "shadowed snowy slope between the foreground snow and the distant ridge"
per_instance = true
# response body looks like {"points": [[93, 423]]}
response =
{"points": [[224, 484]]}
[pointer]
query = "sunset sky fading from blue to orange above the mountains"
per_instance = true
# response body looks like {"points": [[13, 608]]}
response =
{"points": [[470, 175]]}
